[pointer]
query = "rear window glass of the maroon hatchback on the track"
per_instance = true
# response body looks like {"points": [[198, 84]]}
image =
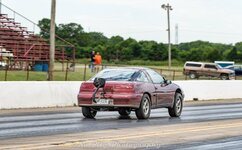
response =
{"points": [[116, 74]]}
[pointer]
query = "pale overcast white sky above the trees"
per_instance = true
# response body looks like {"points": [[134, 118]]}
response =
{"points": [[218, 21]]}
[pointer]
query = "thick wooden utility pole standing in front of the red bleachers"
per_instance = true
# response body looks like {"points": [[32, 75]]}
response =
{"points": [[52, 41]]}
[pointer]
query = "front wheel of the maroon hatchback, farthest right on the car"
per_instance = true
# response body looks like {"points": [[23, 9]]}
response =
{"points": [[176, 109]]}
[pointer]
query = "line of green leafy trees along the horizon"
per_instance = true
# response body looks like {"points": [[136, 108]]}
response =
{"points": [[117, 48]]}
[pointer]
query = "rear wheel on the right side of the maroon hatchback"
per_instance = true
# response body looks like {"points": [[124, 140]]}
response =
{"points": [[143, 112]]}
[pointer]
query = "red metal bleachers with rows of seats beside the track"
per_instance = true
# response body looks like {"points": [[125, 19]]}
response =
{"points": [[26, 46]]}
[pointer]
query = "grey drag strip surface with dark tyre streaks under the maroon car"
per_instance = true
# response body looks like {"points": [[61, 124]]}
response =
{"points": [[203, 125]]}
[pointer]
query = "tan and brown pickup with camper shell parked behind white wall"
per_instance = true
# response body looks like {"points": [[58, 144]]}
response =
{"points": [[197, 69]]}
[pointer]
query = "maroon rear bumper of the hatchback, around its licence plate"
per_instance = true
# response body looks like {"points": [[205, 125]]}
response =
{"points": [[119, 100]]}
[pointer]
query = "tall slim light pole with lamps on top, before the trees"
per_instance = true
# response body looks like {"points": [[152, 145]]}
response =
{"points": [[168, 8]]}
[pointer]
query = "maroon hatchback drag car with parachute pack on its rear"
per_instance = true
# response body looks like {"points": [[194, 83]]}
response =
{"points": [[129, 89]]}
